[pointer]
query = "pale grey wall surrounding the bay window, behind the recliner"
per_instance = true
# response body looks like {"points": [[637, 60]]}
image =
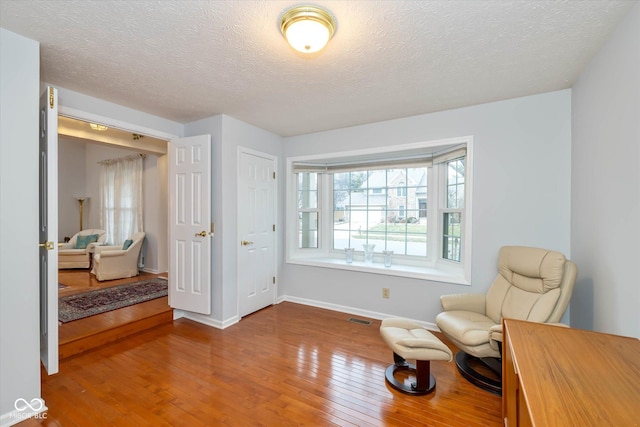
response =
{"points": [[521, 185]]}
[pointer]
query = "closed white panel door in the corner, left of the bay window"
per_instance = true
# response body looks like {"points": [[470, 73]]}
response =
{"points": [[256, 230]]}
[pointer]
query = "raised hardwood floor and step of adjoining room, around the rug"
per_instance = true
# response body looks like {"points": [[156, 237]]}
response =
{"points": [[91, 332]]}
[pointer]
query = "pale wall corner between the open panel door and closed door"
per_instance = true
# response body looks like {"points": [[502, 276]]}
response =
{"points": [[227, 134]]}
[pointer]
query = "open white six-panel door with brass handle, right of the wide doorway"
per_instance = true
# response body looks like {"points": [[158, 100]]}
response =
{"points": [[190, 224]]}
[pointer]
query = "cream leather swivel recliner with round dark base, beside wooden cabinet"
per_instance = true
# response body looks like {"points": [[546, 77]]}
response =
{"points": [[532, 284]]}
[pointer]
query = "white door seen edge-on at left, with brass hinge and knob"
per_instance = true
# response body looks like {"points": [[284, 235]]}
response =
{"points": [[49, 230]]}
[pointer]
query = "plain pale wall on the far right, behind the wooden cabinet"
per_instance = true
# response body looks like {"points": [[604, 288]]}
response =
{"points": [[605, 203]]}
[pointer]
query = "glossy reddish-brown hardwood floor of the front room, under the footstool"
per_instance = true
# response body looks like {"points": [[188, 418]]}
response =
{"points": [[288, 364]]}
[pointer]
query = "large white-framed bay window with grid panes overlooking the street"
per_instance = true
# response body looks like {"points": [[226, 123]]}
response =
{"points": [[413, 200]]}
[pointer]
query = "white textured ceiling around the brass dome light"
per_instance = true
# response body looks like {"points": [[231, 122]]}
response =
{"points": [[186, 60]]}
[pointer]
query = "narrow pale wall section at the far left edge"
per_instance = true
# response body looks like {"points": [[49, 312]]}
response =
{"points": [[19, 286]]}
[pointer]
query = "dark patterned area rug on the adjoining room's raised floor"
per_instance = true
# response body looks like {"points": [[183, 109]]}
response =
{"points": [[79, 306]]}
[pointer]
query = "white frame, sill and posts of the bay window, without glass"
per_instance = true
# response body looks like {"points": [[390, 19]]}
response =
{"points": [[438, 269]]}
